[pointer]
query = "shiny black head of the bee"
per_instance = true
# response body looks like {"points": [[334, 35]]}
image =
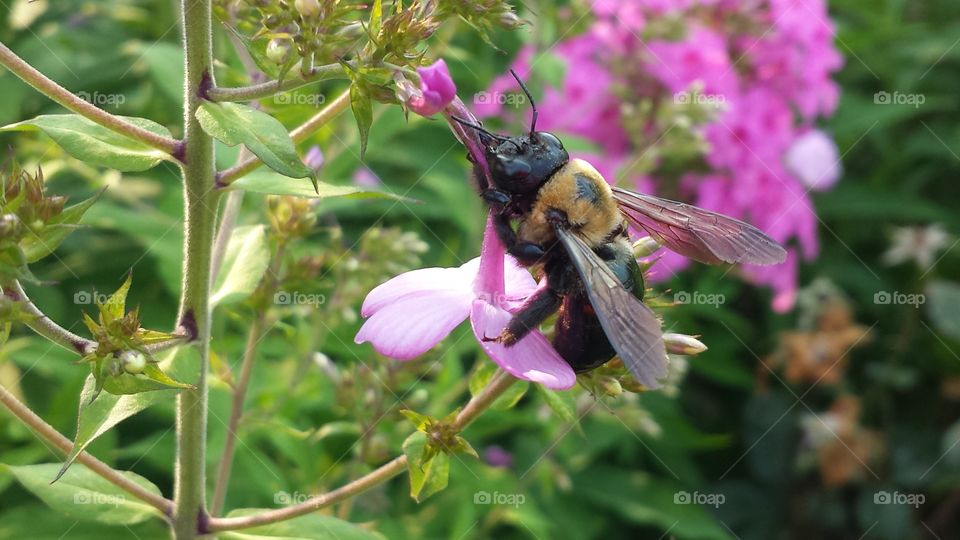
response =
{"points": [[520, 165]]}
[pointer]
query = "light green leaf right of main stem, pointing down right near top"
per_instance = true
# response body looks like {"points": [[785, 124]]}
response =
{"points": [[262, 134]]}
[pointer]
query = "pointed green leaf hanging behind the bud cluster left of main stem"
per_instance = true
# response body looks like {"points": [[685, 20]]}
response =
{"points": [[96, 416]]}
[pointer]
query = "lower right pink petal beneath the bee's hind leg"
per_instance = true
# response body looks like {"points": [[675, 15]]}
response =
{"points": [[532, 358]]}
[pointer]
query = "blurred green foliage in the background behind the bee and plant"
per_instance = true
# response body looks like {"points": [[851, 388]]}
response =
{"points": [[618, 472]]}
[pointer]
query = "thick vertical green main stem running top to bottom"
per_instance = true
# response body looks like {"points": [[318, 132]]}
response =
{"points": [[200, 202]]}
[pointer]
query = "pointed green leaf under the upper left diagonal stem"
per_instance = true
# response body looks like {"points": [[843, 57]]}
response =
{"points": [[93, 143]]}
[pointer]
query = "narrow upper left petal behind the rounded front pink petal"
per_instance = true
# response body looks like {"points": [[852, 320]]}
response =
{"points": [[423, 280]]}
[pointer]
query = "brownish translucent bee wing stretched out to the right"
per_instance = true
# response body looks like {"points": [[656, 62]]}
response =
{"points": [[697, 233]]}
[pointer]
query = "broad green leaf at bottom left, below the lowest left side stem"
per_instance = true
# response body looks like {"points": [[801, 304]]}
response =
{"points": [[82, 494]]}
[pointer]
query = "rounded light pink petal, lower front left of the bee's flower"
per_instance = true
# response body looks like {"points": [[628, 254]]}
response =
{"points": [[412, 325]]}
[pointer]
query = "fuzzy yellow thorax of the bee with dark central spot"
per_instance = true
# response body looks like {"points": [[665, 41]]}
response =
{"points": [[592, 216]]}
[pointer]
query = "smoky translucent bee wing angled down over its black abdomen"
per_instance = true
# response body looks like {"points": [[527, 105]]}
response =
{"points": [[630, 325]]}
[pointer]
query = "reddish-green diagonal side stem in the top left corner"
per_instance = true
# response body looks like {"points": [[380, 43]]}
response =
{"points": [[71, 101]]}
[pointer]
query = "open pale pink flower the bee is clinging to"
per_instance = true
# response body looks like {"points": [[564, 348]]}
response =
{"points": [[412, 312]]}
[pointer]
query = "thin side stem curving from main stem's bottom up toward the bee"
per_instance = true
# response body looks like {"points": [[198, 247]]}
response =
{"points": [[497, 386]]}
